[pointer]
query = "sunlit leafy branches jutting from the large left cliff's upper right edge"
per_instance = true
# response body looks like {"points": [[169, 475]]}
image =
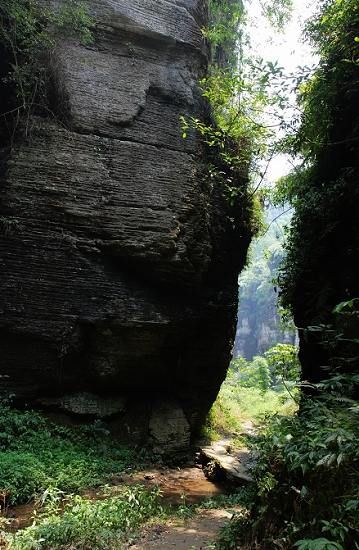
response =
{"points": [[239, 97]]}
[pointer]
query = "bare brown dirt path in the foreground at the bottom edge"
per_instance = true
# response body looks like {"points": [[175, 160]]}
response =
{"points": [[197, 533]]}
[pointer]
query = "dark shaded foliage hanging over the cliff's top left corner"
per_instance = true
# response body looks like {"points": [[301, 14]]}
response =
{"points": [[28, 32]]}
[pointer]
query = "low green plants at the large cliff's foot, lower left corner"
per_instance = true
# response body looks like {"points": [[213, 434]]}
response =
{"points": [[52, 464]]}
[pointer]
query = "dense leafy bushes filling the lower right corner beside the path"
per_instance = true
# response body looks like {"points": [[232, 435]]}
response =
{"points": [[305, 461]]}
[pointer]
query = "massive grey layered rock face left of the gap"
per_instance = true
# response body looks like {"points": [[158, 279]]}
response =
{"points": [[118, 259]]}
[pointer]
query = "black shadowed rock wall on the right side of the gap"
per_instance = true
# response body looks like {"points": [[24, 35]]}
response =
{"points": [[324, 258]]}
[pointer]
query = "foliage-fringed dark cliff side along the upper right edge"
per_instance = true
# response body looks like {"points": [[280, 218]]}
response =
{"points": [[323, 189]]}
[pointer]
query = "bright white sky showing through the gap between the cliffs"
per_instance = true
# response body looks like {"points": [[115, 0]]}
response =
{"points": [[287, 48]]}
